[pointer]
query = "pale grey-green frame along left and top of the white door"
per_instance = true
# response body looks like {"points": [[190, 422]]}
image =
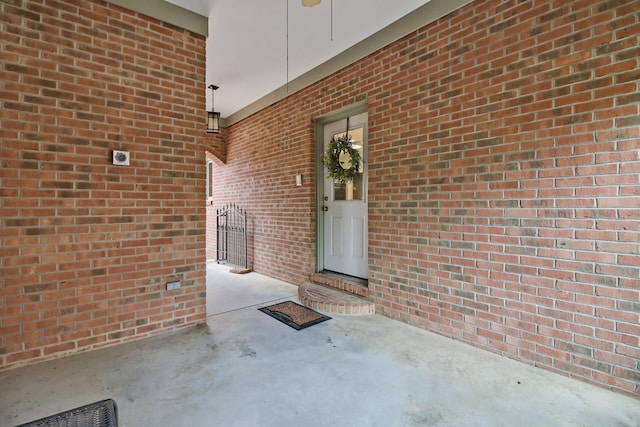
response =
{"points": [[320, 122]]}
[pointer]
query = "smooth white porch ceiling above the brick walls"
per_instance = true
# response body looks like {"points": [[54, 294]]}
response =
{"points": [[253, 49]]}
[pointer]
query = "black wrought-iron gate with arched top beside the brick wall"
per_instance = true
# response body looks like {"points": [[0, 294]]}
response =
{"points": [[231, 236]]}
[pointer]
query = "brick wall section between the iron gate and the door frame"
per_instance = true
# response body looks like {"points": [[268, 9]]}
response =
{"points": [[263, 158]]}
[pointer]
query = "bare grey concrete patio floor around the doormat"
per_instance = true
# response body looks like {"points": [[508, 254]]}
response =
{"points": [[244, 368]]}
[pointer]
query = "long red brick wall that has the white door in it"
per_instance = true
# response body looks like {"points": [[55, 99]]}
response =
{"points": [[504, 193]]}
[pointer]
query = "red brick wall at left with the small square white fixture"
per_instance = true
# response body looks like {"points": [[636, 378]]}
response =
{"points": [[87, 247]]}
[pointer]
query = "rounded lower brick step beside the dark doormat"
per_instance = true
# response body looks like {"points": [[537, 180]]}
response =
{"points": [[333, 301]]}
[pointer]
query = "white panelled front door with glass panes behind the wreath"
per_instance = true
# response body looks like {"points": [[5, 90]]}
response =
{"points": [[345, 207]]}
